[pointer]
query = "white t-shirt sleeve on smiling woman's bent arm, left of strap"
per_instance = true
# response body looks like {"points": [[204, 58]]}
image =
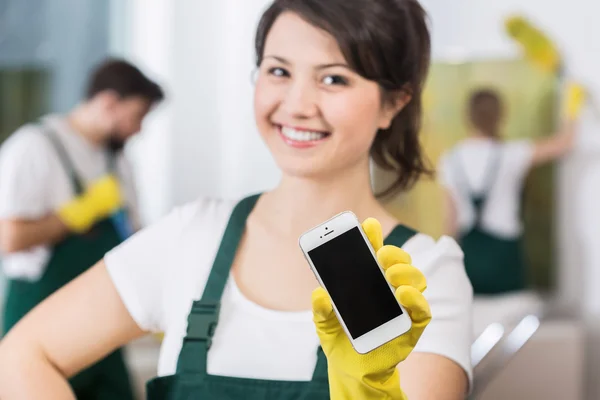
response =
{"points": [[174, 255]]}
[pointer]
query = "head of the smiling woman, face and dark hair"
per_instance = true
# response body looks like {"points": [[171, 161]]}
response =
{"points": [[351, 81]]}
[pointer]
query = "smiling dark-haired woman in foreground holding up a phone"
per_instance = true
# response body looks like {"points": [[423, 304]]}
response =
{"points": [[338, 83]]}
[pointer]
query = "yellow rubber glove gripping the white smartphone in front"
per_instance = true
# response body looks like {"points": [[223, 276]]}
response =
{"points": [[373, 375]]}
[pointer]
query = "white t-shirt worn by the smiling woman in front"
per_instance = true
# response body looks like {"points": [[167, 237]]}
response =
{"points": [[161, 270]]}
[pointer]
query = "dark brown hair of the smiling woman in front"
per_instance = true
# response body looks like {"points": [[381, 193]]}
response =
{"points": [[386, 41]]}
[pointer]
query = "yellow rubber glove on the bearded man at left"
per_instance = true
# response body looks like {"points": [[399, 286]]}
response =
{"points": [[102, 198]]}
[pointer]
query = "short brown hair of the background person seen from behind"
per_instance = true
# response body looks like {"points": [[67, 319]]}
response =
{"points": [[485, 111]]}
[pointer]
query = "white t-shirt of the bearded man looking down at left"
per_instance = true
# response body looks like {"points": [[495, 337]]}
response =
{"points": [[34, 183]]}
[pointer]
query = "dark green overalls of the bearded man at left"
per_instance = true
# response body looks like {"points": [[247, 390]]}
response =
{"points": [[109, 378]]}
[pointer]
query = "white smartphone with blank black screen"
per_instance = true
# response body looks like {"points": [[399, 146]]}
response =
{"points": [[345, 264]]}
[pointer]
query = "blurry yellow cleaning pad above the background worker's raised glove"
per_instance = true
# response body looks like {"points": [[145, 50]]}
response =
{"points": [[537, 46]]}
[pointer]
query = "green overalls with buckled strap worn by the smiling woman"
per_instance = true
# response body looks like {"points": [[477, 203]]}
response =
{"points": [[191, 380]]}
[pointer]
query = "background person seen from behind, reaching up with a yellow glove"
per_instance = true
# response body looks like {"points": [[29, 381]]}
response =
{"points": [[484, 177]]}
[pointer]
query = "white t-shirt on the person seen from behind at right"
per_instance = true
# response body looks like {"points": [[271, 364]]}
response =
{"points": [[501, 211]]}
